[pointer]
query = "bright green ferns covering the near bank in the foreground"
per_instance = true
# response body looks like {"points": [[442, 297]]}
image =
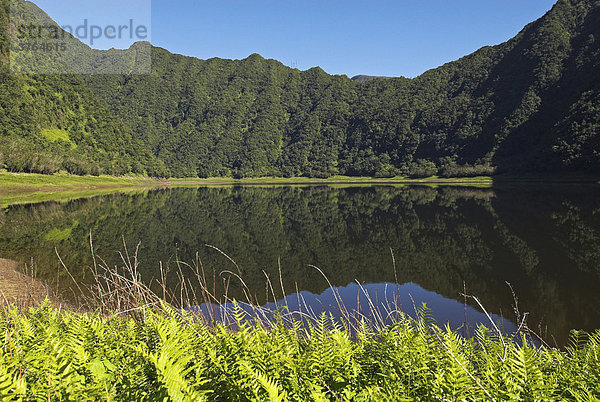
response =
{"points": [[50, 355]]}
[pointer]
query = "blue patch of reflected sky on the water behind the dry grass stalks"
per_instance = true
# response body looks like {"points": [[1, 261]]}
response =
{"points": [[379, 303]]}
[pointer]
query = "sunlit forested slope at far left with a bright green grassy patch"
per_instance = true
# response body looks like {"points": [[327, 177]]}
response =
{"points": [[54, 122]]}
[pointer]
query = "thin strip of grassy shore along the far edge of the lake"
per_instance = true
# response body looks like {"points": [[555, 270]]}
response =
{"points": [[30, 188]]}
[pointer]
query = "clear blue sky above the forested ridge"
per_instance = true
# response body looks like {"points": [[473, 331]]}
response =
{"points": [[374, 37]]}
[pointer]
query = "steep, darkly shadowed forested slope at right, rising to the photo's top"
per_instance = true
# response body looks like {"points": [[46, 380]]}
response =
{"points": [[516, 105]]}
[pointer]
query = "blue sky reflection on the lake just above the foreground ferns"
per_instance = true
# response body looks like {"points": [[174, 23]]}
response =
{"points": [[382, 295]]}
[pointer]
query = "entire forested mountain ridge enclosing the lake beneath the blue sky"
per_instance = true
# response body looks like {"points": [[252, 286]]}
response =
{"points": [[531, 104]]}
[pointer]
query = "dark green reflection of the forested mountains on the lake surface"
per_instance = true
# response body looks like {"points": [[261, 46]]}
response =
{"points": [[545, 241]]}
